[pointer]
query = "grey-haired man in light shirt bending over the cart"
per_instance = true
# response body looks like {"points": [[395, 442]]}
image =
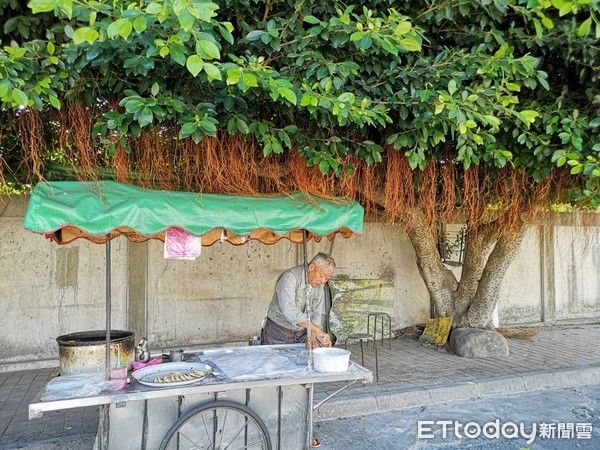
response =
{"points": [[286, 317]]}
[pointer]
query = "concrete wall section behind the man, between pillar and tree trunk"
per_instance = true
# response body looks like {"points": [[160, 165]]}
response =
{"points": [[223, 296]]}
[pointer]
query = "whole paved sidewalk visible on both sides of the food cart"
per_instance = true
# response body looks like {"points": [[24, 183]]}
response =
{"points": [[410, 374]]}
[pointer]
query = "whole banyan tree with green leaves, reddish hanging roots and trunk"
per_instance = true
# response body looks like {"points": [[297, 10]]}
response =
{"points": [[480, 113]]}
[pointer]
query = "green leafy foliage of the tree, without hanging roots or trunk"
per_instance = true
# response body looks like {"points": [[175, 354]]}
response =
{"points": [[500, 84]]}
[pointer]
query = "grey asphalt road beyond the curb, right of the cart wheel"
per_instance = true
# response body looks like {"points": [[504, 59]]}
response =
{"points": [[551, 419]]}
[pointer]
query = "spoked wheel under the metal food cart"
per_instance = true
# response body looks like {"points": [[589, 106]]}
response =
{"points": [[218, 425]]}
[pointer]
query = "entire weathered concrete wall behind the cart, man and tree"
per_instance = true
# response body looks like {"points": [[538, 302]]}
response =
{"points": [[47, 290]]}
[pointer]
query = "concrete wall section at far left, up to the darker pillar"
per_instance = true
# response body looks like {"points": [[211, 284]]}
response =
{"points": [[48, 290]]}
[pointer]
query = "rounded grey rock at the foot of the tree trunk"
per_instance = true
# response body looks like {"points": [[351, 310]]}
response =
{"points": [[478, 343]]}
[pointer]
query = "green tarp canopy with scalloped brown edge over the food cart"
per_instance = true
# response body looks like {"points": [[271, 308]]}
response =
{"points": [[68, 210]]}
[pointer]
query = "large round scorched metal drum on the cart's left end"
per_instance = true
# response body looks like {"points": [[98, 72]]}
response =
{"points": [[85, 351]]}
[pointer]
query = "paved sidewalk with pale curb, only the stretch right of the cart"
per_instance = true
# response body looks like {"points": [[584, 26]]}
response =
{"points": [[411, 374]]}
